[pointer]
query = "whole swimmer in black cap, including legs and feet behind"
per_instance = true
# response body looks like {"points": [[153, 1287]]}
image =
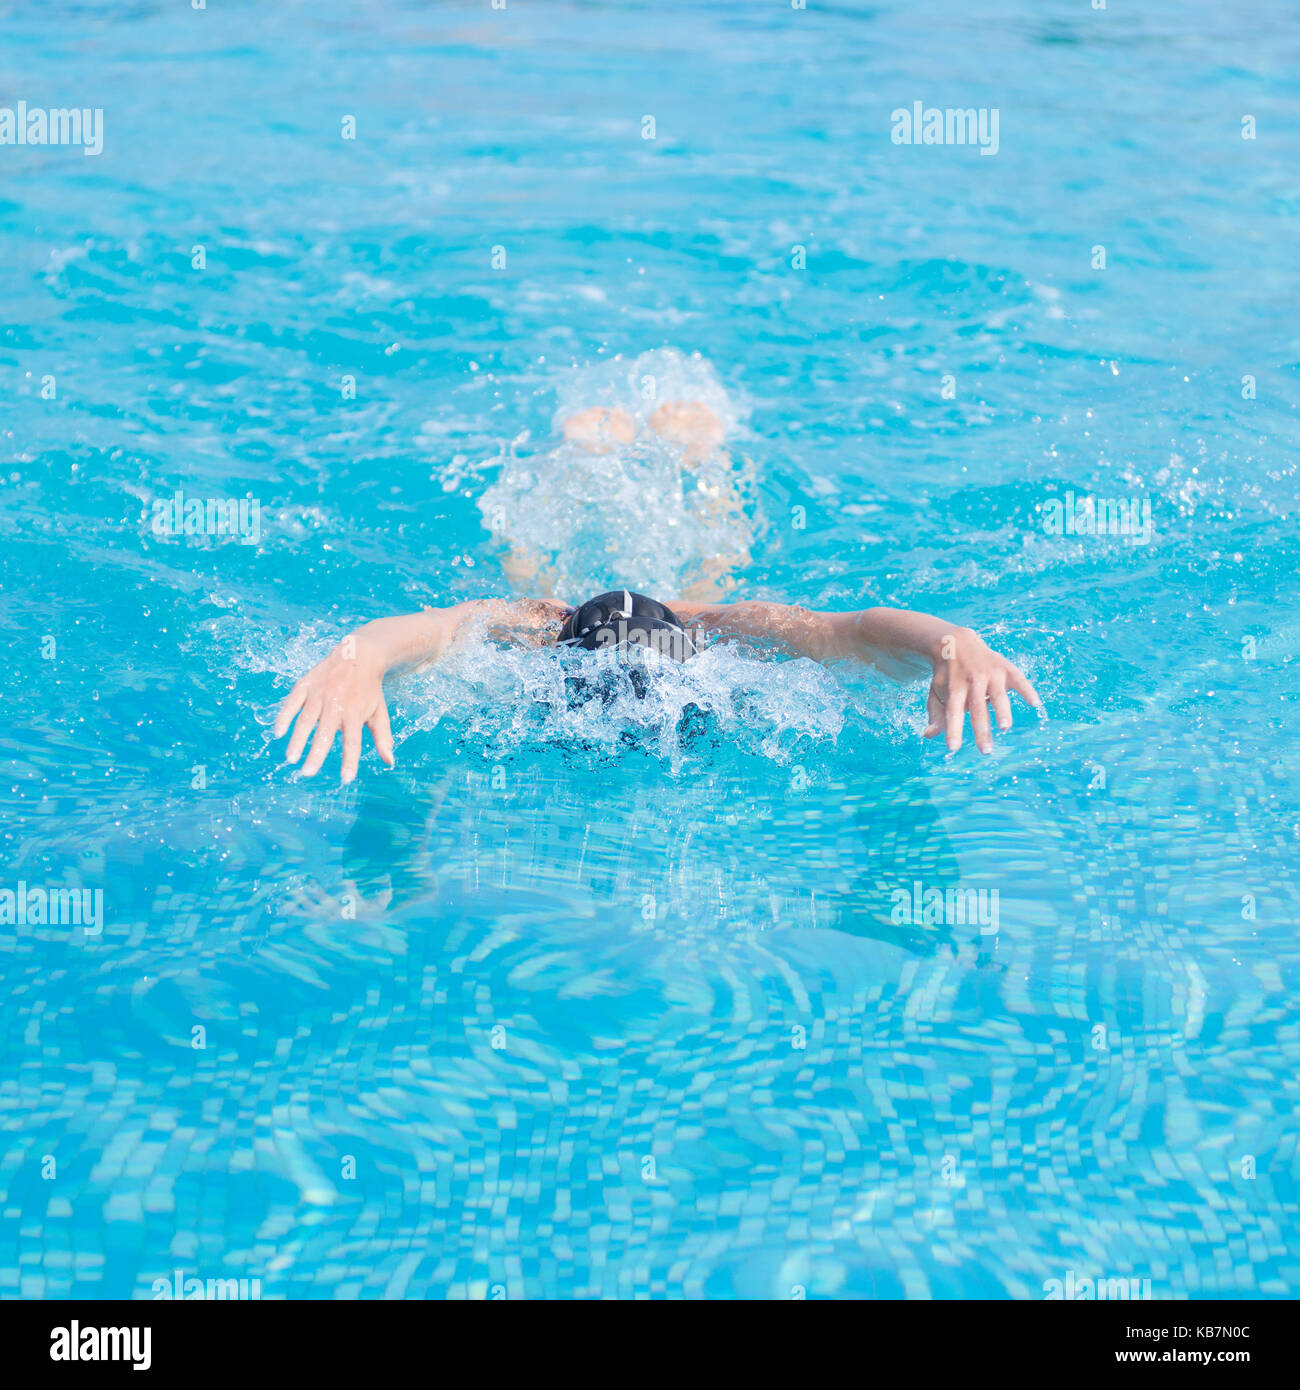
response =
{"points": [[344, 694]]}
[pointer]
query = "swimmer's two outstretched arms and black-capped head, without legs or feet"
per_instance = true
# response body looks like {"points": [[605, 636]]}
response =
{"points": [[346, 692]]}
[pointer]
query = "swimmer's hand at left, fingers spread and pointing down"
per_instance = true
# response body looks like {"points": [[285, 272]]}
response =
{"points": [[346, 692]]}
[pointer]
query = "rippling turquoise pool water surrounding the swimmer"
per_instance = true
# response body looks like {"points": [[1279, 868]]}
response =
{"points": [[546, 1011]]}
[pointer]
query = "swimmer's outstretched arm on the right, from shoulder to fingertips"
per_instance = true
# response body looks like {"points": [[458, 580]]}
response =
{"points": [[966, 675]]}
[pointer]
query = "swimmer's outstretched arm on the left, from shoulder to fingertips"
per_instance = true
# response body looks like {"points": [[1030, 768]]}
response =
{"points": [[346, 692]]}
